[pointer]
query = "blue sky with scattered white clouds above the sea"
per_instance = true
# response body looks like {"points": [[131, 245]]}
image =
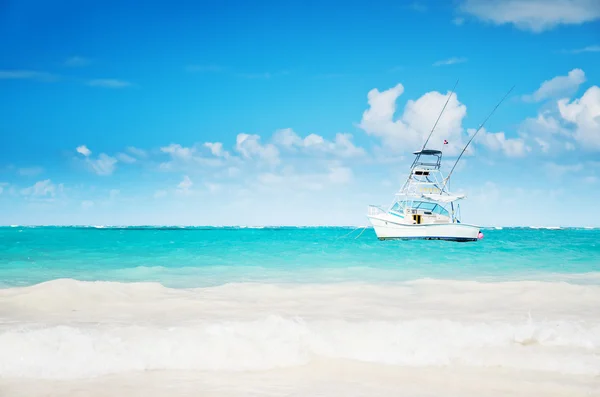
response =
{"points": [[229, 112]]}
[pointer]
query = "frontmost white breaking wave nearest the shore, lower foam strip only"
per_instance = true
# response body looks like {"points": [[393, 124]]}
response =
{"points": [[64, 352]]}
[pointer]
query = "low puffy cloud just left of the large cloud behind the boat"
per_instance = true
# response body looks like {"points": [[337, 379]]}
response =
{"points": [[342, 145]]}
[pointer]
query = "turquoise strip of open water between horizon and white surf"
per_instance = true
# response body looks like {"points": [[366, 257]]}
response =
{"points": [[204, 256]]}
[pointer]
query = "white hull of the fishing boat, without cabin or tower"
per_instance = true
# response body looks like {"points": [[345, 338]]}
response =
{"points": [[387, 230]]}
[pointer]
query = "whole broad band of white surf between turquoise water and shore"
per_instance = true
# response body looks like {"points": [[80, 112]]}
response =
{"points": [[67, 329]]}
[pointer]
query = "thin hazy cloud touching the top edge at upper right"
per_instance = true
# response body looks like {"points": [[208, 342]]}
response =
{"points": [[533, 15]]}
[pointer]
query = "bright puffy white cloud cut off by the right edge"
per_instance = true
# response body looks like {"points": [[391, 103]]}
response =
{"points": [[584, 114]]}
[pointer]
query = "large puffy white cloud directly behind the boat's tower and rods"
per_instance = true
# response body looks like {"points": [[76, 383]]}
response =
{"points": [[410, 131]]}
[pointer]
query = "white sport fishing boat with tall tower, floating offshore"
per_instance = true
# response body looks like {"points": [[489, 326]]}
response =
{"points": [[423, 208]]}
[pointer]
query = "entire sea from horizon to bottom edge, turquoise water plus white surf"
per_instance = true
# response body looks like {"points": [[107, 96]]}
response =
{"points": [[297, 311]]}
